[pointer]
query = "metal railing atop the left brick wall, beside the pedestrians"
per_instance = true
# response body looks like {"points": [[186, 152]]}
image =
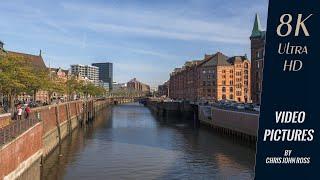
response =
{"points": [[16, 128]]}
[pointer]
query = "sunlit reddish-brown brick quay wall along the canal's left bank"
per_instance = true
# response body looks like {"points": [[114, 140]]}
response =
{"points": [[21, 158]]}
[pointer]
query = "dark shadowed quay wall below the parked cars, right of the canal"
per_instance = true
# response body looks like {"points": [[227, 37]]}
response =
{"points": [[235, 123]]}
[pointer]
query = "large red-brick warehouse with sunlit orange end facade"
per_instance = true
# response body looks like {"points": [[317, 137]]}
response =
{"points": [[216, 77]]}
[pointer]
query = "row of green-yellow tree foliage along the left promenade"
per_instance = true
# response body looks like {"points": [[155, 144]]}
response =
{"points": [[18, 76]]}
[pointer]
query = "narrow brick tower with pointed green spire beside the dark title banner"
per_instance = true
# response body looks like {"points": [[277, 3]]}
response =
{"points": [[257, 39]]}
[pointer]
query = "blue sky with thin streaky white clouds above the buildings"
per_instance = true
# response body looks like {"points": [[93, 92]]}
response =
{"points": [[143, 39]]}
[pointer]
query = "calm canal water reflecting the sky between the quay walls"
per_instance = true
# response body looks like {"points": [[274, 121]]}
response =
{"points": [[128, 142]]}
